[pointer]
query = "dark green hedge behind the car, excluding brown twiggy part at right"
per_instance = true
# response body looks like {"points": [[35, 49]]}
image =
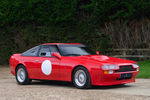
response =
{"points": [[25, 23]]}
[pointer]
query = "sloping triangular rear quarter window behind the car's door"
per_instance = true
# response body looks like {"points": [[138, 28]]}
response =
{"points": [[31, 52]]}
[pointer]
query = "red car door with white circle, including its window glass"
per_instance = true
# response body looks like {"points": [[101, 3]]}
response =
{"points": [[48, 66]]}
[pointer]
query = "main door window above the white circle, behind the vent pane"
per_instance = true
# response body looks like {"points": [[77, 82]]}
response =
{"points": [[45, 52]]}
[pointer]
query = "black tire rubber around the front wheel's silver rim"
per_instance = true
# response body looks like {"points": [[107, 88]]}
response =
{"points": [[88, 78]]}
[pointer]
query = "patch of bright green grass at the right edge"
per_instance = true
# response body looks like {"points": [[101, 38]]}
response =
{"points": [[144, 69]]}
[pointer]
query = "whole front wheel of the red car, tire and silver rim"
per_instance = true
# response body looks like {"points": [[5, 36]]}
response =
{"points": [[81, 78]]}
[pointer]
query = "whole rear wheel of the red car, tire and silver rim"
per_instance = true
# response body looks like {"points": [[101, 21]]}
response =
{"points": [[22, 75]]}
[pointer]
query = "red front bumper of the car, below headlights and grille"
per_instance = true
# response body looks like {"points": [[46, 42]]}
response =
{"points": [[112, 79]]}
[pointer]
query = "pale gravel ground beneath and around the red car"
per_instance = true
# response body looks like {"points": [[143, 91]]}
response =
{"points": [[52, 90]]}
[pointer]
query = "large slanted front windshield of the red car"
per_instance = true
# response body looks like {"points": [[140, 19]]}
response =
{"points": [[75, 50]]}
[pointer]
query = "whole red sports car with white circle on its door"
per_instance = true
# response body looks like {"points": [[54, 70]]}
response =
{"points": [[71, 62]]}
